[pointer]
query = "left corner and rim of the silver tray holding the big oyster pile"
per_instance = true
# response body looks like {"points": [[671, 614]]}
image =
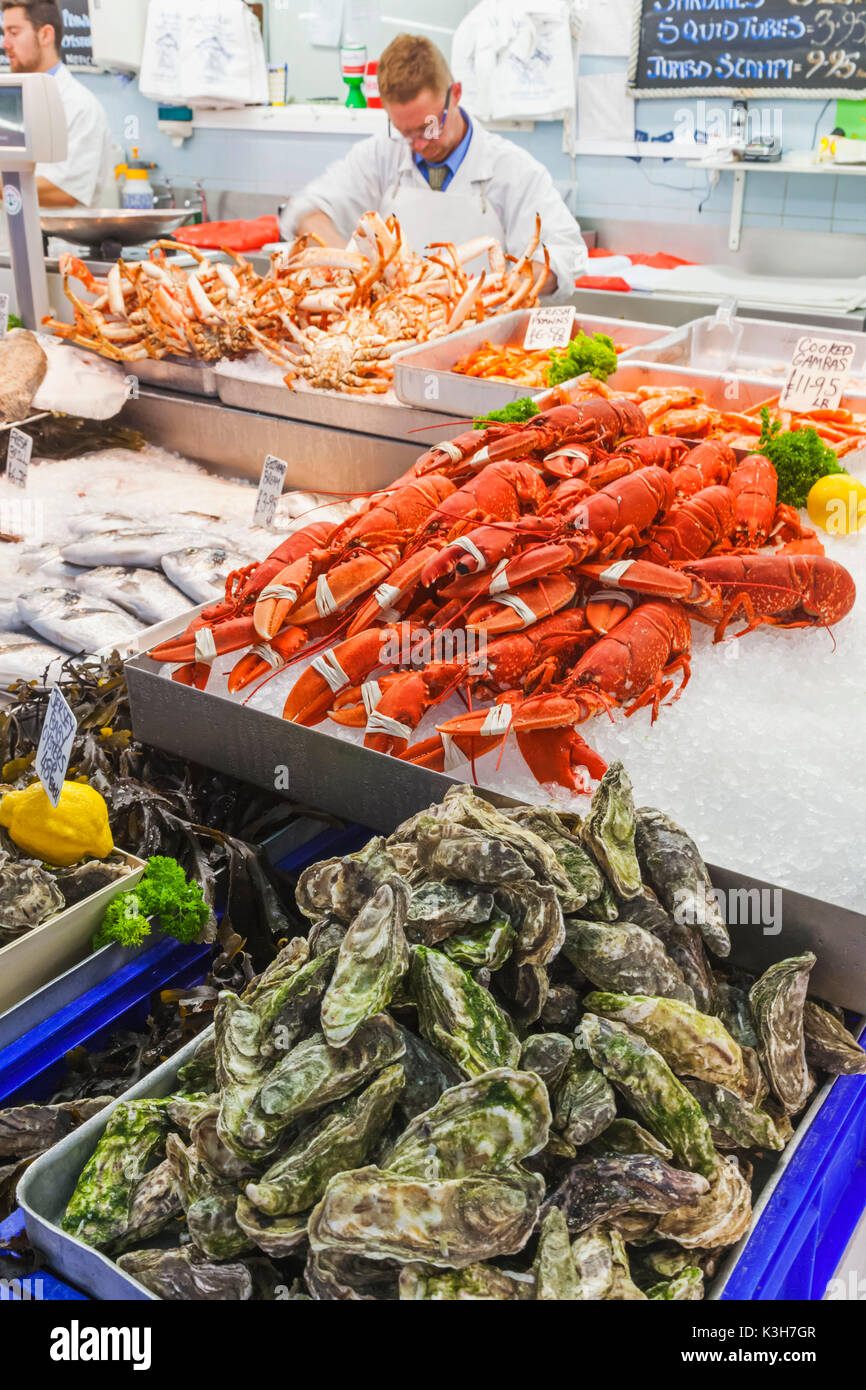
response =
{"points": [[47, 1188]]}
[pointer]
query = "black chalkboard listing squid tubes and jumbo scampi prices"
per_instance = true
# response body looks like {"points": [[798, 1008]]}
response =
{"points": [[750, 48]]}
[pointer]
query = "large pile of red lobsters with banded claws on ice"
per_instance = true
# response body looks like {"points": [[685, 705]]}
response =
{"points": [[578, 548]]}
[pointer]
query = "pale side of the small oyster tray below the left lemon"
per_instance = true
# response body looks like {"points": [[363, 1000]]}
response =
{"points": [[45, 953]]}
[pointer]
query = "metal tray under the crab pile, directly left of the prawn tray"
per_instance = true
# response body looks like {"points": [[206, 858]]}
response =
{"points": [[334, 409]]}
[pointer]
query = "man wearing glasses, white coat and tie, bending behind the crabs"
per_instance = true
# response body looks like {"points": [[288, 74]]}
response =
{"points": [[441, 174]]}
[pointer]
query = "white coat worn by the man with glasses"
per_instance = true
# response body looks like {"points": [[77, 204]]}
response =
{"points": [[496, 173]]}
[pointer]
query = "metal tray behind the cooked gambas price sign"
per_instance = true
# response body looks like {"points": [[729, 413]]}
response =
{"points": [[765, 348]]}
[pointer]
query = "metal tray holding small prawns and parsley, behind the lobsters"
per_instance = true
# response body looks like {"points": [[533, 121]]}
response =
{"points": [[425, 375]]}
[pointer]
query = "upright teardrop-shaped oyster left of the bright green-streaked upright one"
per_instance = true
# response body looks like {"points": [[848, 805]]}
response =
{"points": [[373, 957]]}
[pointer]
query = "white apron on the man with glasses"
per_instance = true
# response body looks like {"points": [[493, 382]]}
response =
{"points": [[426, 216]]}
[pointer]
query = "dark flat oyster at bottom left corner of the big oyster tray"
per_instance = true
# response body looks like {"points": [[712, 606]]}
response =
{"points": [[184, 1275]]}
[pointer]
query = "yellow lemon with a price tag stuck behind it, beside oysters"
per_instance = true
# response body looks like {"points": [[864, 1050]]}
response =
{"points": [[65, 836]]}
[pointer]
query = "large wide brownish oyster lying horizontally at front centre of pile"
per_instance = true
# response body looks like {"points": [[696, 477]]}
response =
{"points": [[450, 1224]]}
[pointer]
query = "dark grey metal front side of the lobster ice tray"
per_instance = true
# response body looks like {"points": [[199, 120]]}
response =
{"points": [[357, 783]]}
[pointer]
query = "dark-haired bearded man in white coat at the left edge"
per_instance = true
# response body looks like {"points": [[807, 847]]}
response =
{"points": [[33, 41]]}
